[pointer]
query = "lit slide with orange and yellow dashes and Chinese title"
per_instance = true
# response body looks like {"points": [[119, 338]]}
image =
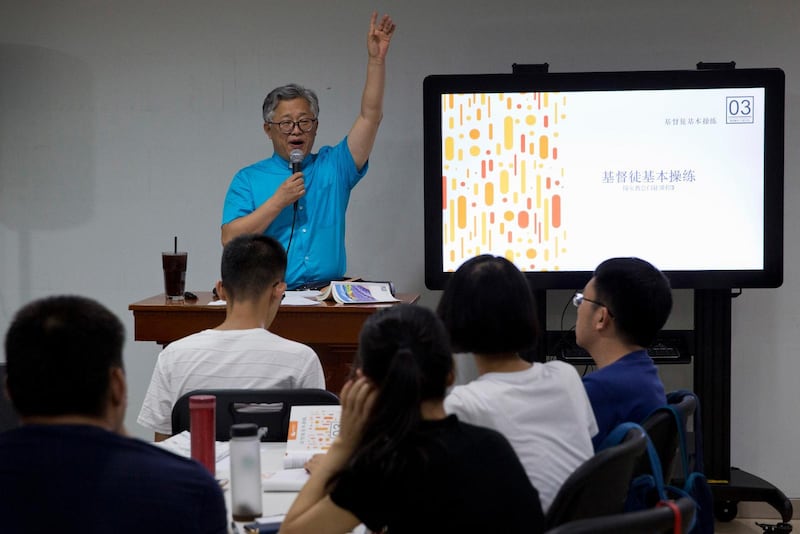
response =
{"points": [[563, 180]]}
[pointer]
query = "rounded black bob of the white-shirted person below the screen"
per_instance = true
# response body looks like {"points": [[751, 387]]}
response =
{"points": [[488, 307]]}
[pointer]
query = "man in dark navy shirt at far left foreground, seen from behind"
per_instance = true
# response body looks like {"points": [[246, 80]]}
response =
{"points": [[70, 467]]}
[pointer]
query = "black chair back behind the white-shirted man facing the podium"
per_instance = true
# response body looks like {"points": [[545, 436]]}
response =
{"points": [[268, 408]]}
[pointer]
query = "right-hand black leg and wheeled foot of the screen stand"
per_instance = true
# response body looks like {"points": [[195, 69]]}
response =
{"points": [[712, 384]]}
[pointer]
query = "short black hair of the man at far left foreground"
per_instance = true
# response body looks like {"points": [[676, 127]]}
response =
{"points": [[59, 354]]}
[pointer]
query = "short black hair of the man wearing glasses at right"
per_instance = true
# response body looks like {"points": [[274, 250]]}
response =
{"points": [[637, 294]]}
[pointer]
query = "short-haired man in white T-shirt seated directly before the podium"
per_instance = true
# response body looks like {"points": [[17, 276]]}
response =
{"points": [[240, 353]]}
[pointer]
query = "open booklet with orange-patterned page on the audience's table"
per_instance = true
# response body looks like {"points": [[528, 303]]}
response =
{"points": [[312, 430]]}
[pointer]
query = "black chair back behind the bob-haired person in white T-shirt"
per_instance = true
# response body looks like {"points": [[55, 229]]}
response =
{"points": [[600, 485]]}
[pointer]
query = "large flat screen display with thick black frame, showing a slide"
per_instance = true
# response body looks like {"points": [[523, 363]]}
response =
{"points": [[558, 172]]}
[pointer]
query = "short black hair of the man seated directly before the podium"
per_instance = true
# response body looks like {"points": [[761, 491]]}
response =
{"points": [[251, 263]]}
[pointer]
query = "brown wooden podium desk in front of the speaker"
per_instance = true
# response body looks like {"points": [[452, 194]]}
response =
{"points": [[331, 329]]}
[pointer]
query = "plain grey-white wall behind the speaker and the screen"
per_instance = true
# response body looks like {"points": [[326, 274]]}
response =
{"points": [[121, 124]]}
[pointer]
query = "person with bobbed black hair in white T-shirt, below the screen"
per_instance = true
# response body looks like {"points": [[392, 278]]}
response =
{"points": [[541, 408]]}
